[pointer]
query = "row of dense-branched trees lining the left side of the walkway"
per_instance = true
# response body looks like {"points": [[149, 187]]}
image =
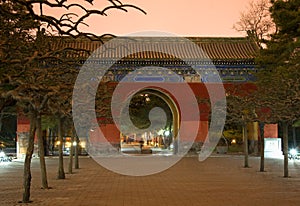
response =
{"points": [[36, 77]]}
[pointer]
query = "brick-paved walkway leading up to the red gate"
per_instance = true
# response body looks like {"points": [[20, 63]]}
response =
{"points": [[220, 180]]}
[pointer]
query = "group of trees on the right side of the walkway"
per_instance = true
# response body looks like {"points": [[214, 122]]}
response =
{"points": [[275, 26]]}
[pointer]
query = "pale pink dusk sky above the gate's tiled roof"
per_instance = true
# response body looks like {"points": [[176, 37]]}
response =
{"points": [[178, 17]]}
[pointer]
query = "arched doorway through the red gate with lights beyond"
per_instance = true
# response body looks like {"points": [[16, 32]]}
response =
{"points": [[151, 132]]}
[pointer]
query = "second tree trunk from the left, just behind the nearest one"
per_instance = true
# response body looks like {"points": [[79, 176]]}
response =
{"points": [[41, 152]]}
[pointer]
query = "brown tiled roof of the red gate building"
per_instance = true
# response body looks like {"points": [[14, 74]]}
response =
{"points": [[213, 48]]}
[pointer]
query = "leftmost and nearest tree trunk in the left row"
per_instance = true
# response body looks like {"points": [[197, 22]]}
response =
{"points": [[27, 163]]}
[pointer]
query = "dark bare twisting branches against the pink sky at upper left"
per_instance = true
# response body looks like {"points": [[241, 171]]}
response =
{"points": [[65, 25]]}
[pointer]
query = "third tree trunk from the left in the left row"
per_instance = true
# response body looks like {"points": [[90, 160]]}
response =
{"points": [[61, 172]]}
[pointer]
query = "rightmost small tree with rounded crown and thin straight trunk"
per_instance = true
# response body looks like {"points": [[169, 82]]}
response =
{"points": [[279, 92]]}
